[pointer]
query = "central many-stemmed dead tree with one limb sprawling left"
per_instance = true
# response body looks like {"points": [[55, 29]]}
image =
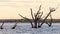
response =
{"points": [[34, 17]]}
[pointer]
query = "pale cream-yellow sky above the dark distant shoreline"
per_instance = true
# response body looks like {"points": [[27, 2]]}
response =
{"points": [[9, 9]]}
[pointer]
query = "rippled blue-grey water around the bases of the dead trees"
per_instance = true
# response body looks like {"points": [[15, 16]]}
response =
{"points": [[25, 28]]}
